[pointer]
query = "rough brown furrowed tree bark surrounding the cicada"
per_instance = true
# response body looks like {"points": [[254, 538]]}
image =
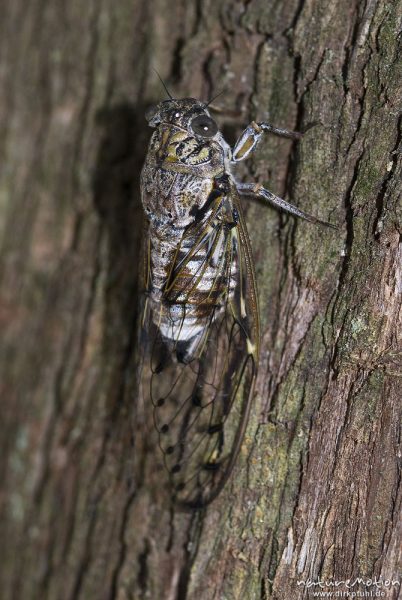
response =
{"points": [[316, 492]]}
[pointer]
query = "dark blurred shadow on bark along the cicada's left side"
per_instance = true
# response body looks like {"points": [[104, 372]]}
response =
{"points": [[116, 187]]}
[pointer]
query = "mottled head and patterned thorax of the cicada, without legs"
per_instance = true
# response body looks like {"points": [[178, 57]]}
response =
{"points": [[185, 154]]}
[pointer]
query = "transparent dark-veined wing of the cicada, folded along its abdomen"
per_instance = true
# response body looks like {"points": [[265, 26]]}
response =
{"points": [[201, 388]]}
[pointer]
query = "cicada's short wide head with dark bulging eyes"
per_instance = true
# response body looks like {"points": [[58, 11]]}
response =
{"points": [[188, 113]]}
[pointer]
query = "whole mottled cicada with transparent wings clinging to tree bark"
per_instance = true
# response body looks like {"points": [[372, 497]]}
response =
{"points": [[201, 308]]}
